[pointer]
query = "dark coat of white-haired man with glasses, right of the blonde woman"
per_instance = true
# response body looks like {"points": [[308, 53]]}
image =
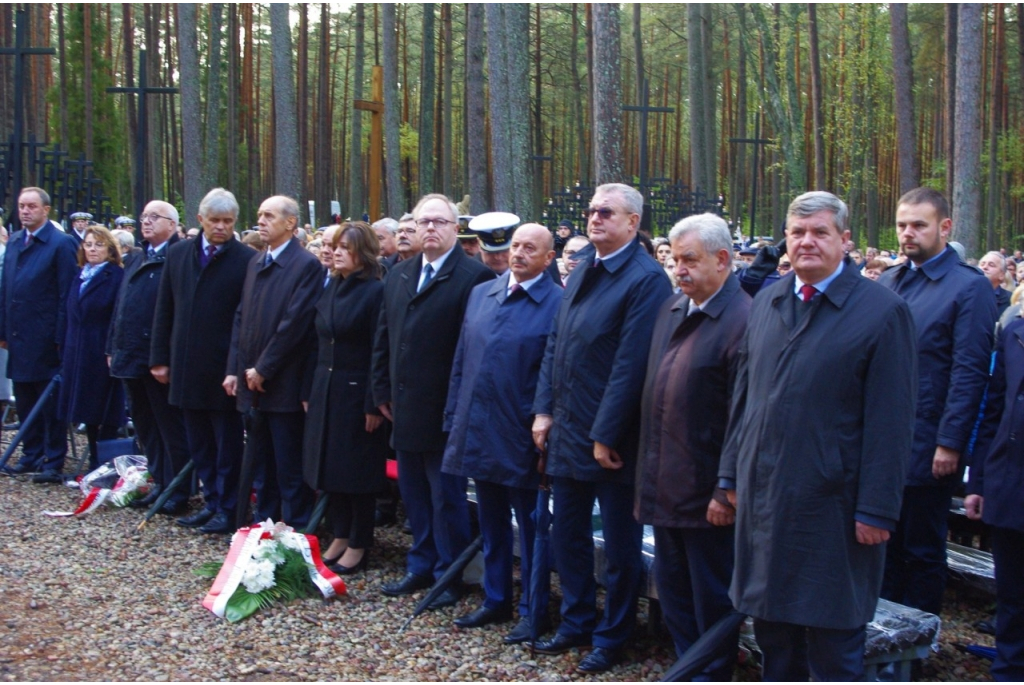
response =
{"points": [[132, 329]]}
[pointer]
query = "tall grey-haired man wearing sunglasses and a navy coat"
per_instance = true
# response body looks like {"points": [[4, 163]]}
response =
{"points": [[587, 419]]}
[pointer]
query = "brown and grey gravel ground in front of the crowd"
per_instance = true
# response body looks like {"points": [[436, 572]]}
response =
{"points": [[97, 600]]}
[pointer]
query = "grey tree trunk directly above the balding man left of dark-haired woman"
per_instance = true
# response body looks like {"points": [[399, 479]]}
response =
{"points": [[286, 162]]}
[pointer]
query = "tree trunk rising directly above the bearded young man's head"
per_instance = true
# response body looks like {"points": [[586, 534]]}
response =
{"points": [[910, 168]]}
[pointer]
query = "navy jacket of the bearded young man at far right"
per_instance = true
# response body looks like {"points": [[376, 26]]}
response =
{"points": [[955, 314]]}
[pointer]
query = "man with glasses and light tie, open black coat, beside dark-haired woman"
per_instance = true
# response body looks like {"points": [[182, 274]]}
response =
{"points": [[424, 305]]}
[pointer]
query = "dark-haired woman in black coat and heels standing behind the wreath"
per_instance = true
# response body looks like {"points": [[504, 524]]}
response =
{"points": [[345, 449]]}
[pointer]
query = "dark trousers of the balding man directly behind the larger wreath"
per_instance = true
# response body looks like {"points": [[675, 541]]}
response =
{"points": [[284, 496]]}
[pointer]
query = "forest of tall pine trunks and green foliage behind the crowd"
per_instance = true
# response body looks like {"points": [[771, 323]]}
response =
{"points": [[515, 103]]}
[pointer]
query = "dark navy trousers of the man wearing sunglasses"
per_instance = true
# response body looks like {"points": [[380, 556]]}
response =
{"points": [[573, 544]]}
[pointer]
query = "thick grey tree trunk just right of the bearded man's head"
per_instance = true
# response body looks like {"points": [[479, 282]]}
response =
{"points": [[967, 185]]}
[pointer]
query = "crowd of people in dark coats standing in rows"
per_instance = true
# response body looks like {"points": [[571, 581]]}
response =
{"points": [[792, 421]]}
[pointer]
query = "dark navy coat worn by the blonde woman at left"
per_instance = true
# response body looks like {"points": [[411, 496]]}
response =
{"points": [[89, 394]]}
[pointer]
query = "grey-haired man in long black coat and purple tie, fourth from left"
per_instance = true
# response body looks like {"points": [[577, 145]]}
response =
{"points": [[200, 290]]}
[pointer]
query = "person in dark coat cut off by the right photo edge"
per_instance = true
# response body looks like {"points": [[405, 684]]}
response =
{"points": [[995, 493]]}
